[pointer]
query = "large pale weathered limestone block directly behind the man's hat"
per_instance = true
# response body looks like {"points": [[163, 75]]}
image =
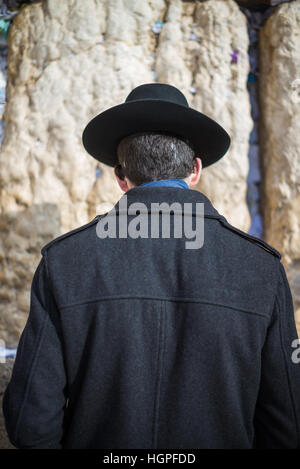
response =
{"points": [[69, 61]]}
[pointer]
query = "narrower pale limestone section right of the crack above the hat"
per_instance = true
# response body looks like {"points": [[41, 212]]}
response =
{"points": [[194, 54]]}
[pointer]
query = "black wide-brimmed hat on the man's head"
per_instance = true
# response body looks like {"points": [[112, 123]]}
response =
{"points": [[154, 107]]}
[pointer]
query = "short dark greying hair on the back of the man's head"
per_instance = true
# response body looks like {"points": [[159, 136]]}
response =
{"points": [[151, 156]]}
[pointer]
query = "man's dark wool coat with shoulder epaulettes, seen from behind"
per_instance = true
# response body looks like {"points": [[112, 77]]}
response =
{"points": [[143, 343]]}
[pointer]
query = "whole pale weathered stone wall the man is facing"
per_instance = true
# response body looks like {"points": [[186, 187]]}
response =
{"points": [[70, 60]]}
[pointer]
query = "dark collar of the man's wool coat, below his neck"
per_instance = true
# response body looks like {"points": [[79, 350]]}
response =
{"points": [[149, 194]]}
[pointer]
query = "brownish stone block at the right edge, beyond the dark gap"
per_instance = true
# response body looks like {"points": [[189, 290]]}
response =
{"points": [[280, 137]]}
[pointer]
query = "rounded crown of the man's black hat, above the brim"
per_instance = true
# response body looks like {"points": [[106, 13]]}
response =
{"points": [[157, 91]]}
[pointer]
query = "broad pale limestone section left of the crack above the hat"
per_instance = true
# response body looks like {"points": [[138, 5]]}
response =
{"points": [[67, 61]]}
